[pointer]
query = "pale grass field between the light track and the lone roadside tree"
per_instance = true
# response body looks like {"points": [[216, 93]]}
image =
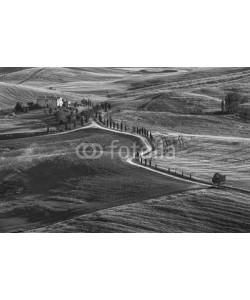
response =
{"points": [[204, 156]]}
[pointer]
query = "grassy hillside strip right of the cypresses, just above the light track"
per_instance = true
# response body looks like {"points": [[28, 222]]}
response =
{"points": [[164, 122]]}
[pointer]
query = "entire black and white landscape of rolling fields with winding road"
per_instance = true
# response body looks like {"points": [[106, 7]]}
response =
{"points": [[124, 149]]}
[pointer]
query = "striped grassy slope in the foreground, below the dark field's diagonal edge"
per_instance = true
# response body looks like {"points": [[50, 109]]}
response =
{"points": [[193, 211]]}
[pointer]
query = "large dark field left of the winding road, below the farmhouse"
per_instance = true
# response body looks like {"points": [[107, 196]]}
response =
{"points": [[43, 179]]}
